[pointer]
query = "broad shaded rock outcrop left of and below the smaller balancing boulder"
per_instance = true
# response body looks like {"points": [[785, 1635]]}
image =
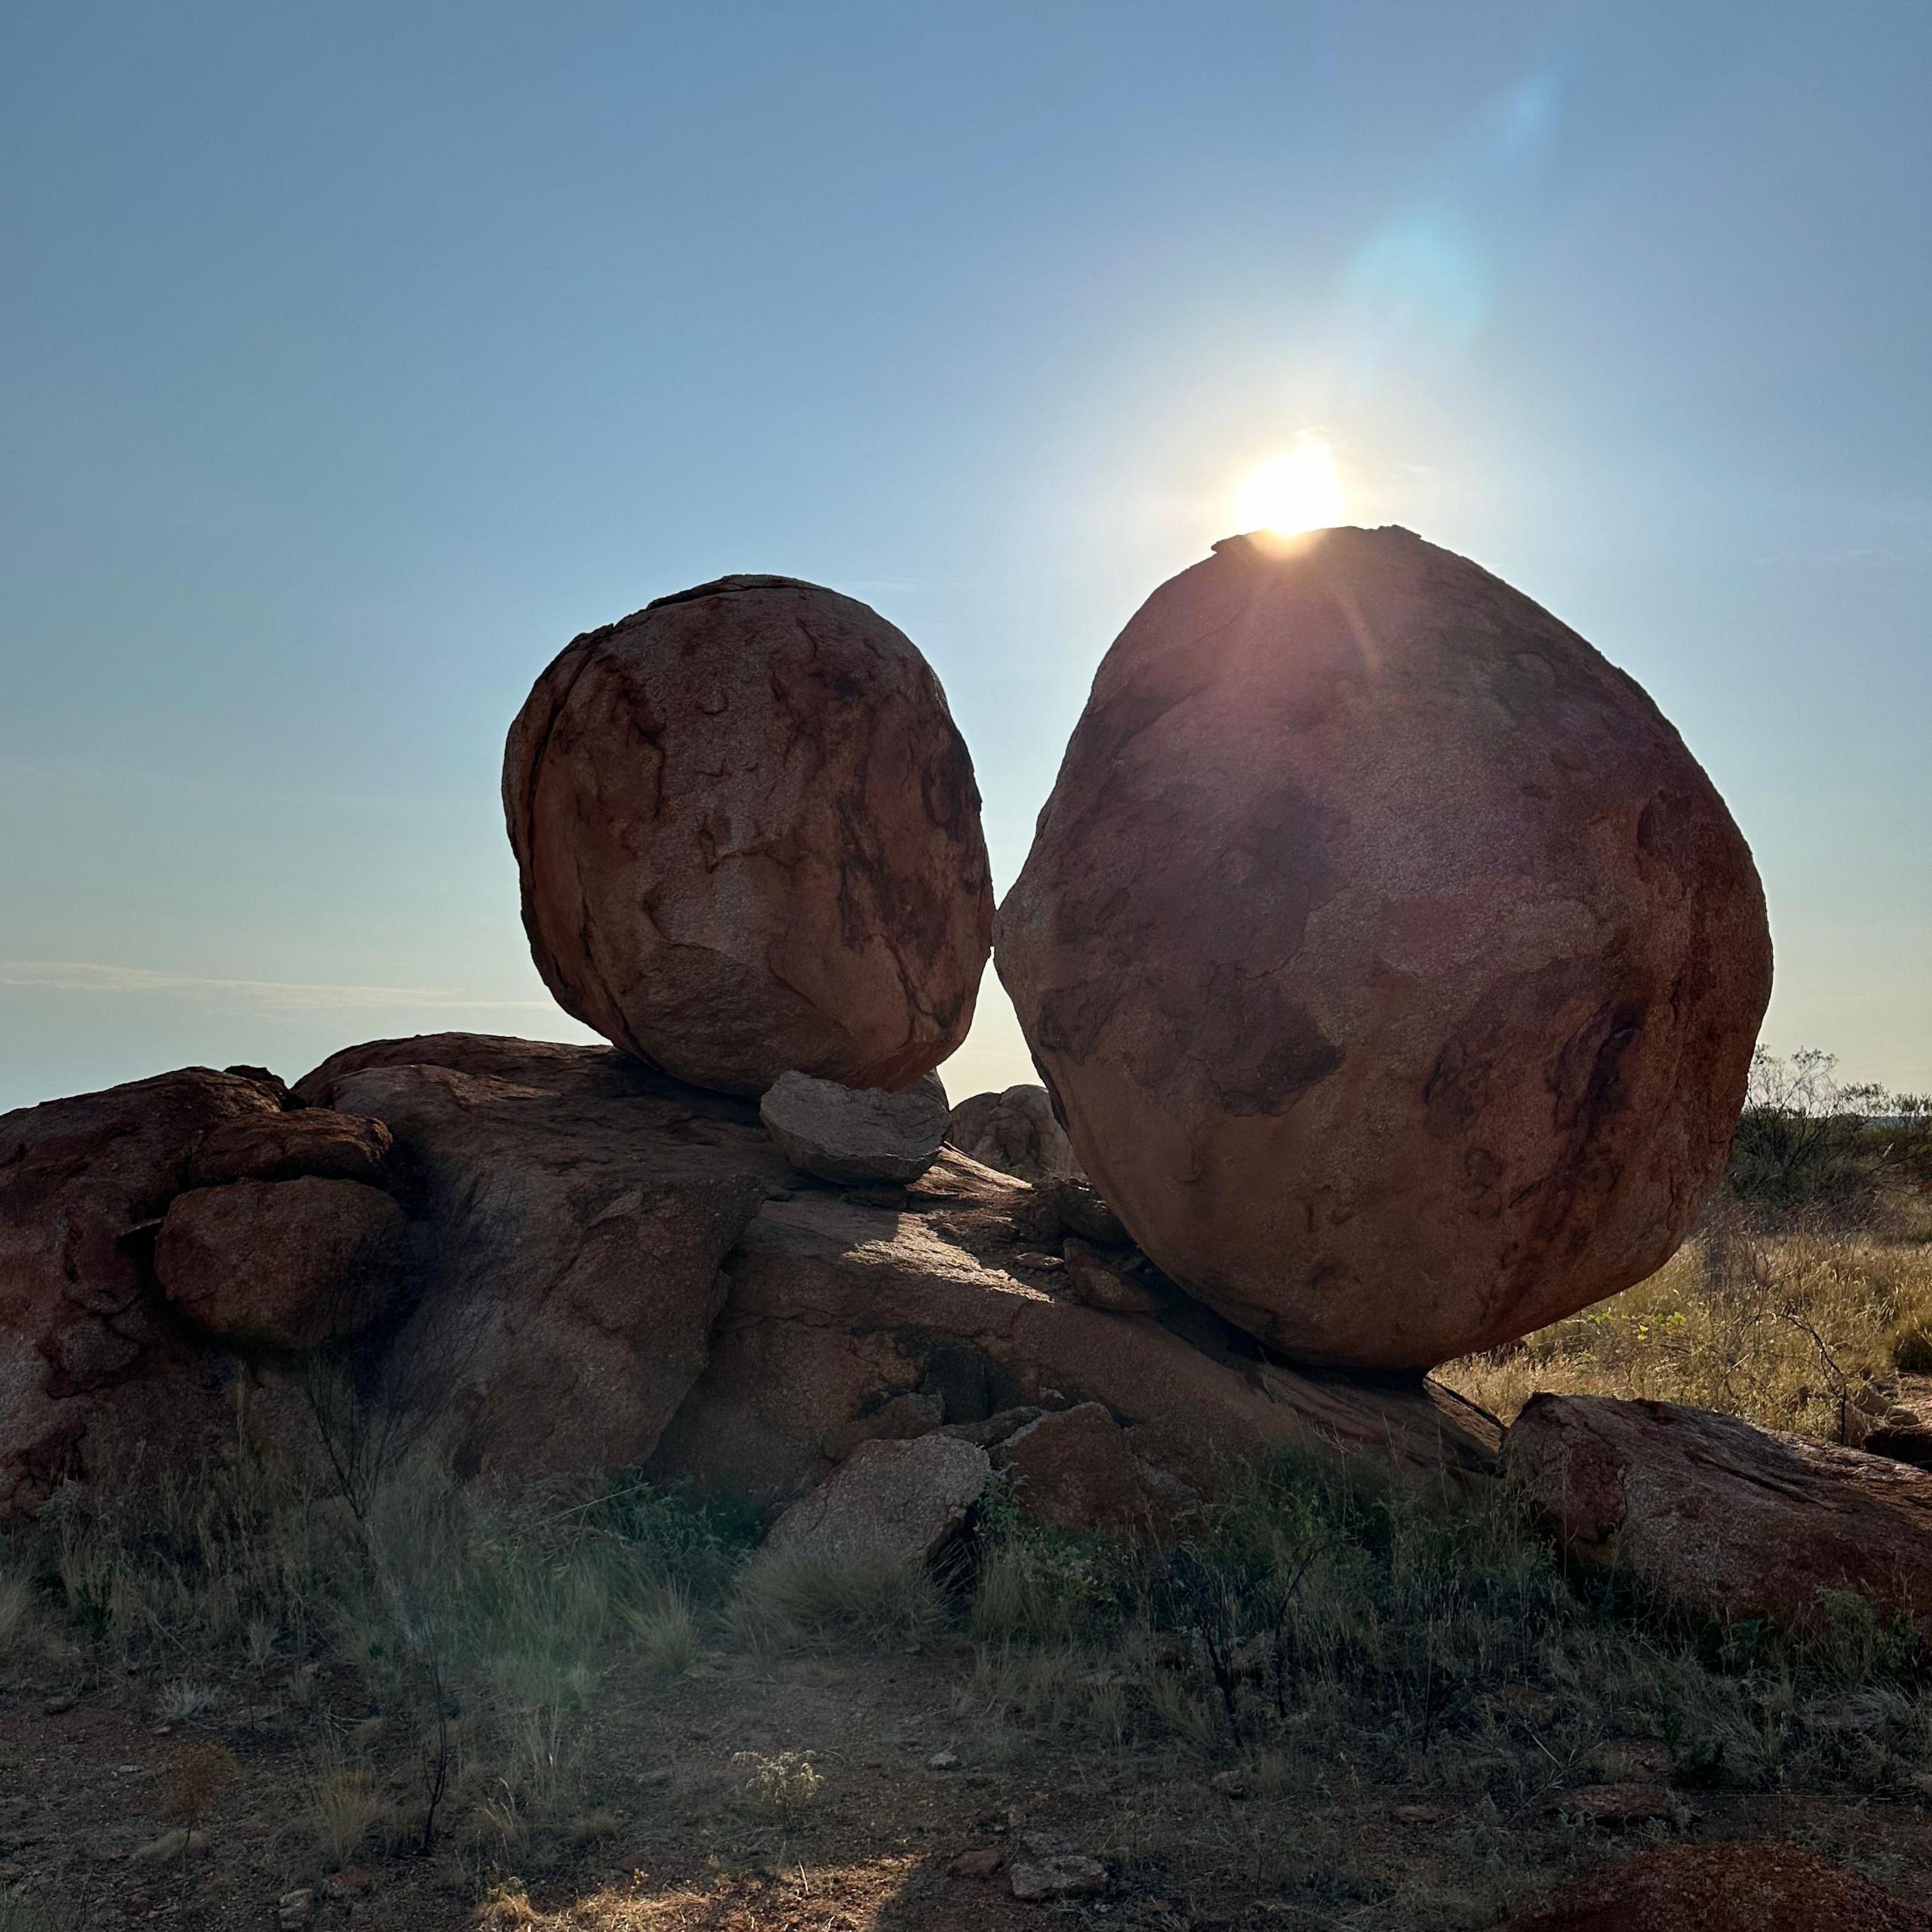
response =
{"points": [[575, 1207]]}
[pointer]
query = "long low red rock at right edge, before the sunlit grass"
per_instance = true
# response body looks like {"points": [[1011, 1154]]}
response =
{"points": [[1726, 1520]]}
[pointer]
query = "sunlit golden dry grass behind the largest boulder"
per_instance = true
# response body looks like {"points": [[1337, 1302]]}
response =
{"points": [[1780, 1326]]}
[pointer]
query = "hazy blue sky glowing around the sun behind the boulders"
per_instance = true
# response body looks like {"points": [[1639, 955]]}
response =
{"points": [[356, 356]]}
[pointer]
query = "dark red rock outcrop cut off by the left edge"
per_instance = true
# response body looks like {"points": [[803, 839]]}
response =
{"points": [[94, 1378]]}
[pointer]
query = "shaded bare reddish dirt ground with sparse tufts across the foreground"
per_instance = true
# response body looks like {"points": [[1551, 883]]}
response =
{"points": [[675, 1827]]}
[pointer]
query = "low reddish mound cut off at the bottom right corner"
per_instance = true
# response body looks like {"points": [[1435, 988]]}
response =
{"points": [[1724, 1887]]}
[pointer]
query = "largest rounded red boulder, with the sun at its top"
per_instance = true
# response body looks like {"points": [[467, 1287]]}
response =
{"points": [[1394, 963]]}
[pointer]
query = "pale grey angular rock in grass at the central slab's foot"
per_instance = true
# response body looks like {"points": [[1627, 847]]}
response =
{"points": [[890, 1504]]}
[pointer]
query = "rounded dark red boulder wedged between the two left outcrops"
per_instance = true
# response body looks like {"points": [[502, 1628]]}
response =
{"points": [[283, 1264]]}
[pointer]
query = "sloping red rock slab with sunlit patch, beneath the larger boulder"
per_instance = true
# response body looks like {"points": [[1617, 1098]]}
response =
{"points": [[847, 1322]]}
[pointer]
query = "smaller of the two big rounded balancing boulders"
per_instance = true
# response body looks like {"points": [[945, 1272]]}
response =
{"points": [[749, 839]]}
